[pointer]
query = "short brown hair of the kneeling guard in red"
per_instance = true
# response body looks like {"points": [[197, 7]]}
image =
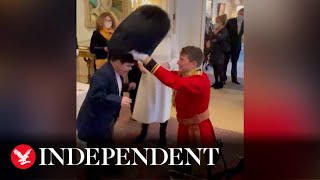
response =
{"points": [[194, 54]]}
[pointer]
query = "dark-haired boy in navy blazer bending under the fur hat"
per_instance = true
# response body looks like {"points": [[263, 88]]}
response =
{"points": [[101, 106]]}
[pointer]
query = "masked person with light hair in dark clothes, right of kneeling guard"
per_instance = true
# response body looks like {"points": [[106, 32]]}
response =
{"points": [[218, 45]]}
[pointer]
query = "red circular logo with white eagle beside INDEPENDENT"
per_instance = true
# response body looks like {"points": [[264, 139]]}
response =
{"points": [[23, 156]]}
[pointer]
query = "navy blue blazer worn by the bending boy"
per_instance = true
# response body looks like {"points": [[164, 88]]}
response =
{"points": [[101, 106]]}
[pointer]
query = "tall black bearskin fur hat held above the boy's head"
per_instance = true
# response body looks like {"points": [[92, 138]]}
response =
{"points": [[142, 30]]}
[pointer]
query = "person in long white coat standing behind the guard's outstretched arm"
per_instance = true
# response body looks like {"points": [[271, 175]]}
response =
{"points": [[153, 95]]}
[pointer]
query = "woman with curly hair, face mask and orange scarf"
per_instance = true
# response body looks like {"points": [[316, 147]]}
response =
{"points": [[105, 26]]}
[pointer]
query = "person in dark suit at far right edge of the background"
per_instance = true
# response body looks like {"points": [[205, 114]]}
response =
{"points": [[235, 28]]}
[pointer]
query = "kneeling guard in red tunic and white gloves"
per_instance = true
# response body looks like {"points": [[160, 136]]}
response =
{"points": [[191, 96]]}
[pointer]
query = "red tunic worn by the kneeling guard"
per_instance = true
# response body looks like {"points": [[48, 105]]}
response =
{"points": [[192, 98]]}
